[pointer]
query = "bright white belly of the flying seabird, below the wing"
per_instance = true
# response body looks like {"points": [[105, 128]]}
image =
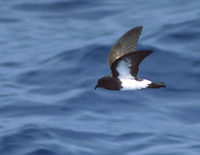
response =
{"points": [[132, 84]]}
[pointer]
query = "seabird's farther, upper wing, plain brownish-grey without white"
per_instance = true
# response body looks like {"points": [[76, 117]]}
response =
{"points": [[126, 44]]}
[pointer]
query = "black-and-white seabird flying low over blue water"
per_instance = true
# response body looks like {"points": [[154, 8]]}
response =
{"points": [[124, 63]]}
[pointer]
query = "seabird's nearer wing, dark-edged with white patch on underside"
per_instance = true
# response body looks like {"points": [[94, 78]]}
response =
{"points": [[128, 65]]}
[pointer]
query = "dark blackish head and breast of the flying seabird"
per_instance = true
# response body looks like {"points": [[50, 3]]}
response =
{"points": [[109, 82]]}
